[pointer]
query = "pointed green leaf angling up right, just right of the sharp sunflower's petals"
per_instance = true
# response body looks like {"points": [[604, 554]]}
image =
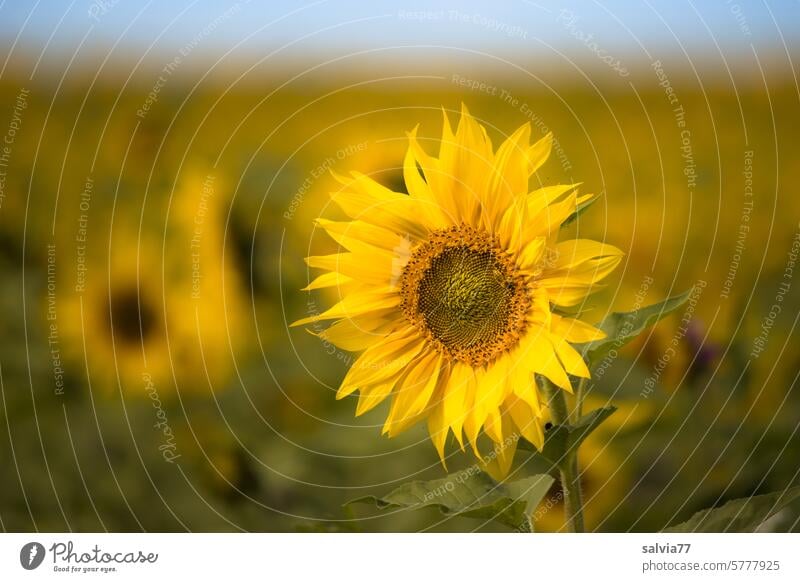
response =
{"points": [[621, 328]]}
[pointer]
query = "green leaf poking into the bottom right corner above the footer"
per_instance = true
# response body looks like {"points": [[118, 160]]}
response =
{"points": [[740, 515]]}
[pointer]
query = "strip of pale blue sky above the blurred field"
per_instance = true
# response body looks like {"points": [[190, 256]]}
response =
{"points": [[325, 26]]}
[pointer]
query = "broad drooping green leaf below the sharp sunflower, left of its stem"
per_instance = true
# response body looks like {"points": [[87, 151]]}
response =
{"points": [[471, 493]]}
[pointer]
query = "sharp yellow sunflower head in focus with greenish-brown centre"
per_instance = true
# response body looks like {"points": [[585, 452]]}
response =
{"points": [[452, 292]]}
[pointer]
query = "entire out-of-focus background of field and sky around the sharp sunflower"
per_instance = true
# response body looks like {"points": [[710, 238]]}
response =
{"points": [[160, 170]]}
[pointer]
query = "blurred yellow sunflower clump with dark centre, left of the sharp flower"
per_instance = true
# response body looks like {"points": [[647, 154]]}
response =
{"points": [[167, 304]]}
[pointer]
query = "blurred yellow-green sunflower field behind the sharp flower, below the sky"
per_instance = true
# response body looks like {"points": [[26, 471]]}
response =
{"points": [[152, 258]]}
